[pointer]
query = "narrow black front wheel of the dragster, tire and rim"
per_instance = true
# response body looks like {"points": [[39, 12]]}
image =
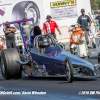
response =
{"points": [[69, 67]]}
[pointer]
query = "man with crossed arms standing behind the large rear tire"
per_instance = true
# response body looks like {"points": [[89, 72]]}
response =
{"points": [[9, 35]]}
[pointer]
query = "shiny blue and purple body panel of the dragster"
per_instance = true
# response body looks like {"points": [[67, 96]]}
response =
{"points": [[54, 58]]}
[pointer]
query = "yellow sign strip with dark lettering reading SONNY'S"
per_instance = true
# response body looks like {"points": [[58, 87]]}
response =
{"points": [[63, 3]]}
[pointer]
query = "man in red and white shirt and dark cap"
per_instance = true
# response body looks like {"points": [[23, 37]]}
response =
{"points": [[49, 26]]}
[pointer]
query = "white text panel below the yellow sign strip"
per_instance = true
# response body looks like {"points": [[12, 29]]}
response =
{"points": [[64, 12]]}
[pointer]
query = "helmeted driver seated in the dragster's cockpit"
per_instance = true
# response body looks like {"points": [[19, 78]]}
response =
{"points": [[44, 42]]}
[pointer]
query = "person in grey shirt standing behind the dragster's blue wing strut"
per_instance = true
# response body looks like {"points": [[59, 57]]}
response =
{"points": [[26, 27]]}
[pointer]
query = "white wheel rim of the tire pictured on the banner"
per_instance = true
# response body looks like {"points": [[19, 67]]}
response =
{"points": [[31, 13]]}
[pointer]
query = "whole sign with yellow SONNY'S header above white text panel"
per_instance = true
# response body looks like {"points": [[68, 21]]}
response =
{"points": [[64, 9]]}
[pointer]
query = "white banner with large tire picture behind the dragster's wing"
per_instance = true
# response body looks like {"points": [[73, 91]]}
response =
{"points": [[12, 10]]}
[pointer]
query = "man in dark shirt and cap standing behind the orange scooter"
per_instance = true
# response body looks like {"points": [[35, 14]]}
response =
{"points": [[83, 21]]}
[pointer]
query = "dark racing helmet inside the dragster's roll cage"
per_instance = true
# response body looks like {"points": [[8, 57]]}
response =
{"points": [[44, 42]]}
